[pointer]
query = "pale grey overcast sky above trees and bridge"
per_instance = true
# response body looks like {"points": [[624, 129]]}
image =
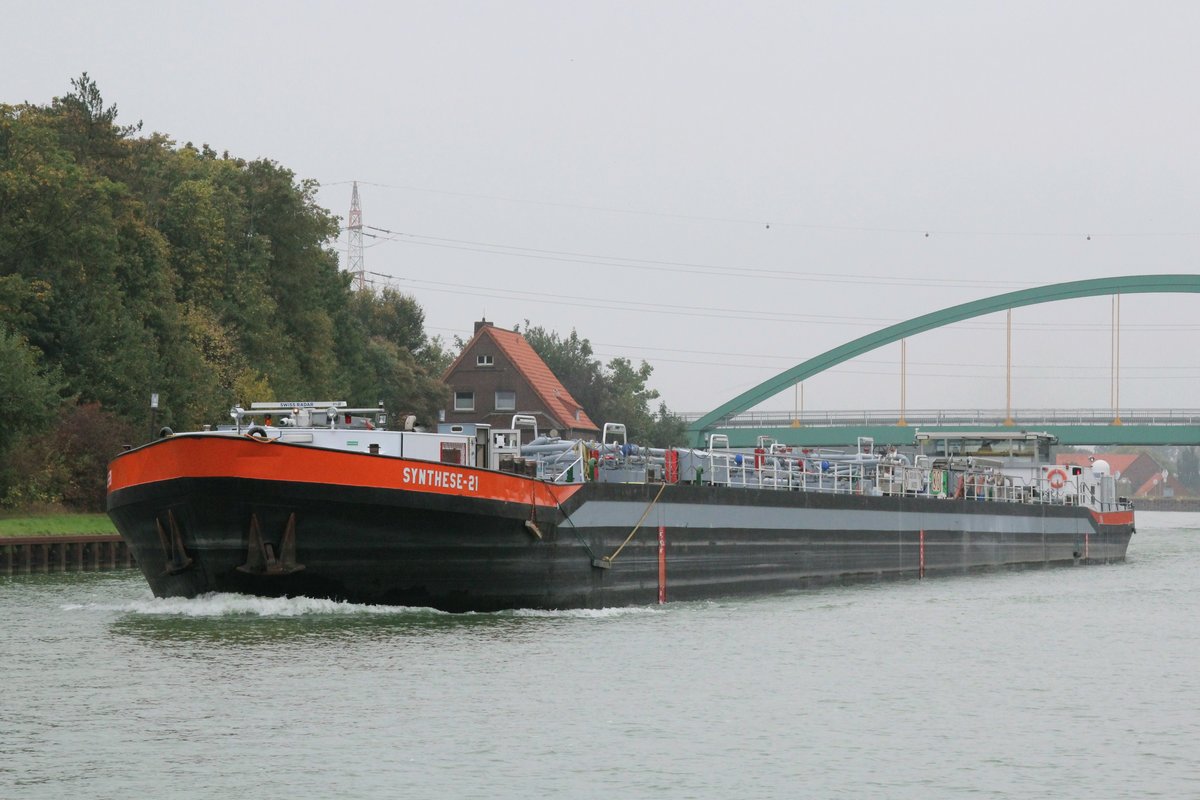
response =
{"points": [[722, 189]]}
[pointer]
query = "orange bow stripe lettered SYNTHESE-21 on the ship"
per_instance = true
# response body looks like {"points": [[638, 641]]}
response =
{"points": [[185, 458]]}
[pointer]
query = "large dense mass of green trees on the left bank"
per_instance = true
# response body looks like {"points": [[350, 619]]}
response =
{"points": [[131, 266]]}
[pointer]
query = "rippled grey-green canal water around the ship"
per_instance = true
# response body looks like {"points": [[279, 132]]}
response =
{"points": [[1051, 683]]}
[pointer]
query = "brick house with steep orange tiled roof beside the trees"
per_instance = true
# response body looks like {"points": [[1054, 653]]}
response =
{"points": [[500, 375]]}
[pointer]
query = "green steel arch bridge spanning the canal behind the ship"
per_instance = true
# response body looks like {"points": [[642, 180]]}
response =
{"points": [[1077, 428]]}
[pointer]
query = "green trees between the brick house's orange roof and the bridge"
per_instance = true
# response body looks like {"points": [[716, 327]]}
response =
{"points": [[616, 393]]}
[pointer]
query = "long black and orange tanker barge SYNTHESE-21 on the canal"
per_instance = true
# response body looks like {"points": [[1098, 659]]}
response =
{"points": [[323, 501]]}
